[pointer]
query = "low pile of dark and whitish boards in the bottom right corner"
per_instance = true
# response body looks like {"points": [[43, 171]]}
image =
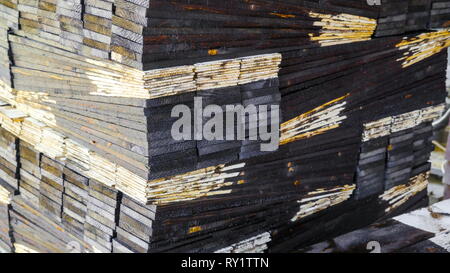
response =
{"points": [[421, 231]]}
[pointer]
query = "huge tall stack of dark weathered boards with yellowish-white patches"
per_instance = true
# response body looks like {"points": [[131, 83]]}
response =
{"points": [[89, 163]]}
